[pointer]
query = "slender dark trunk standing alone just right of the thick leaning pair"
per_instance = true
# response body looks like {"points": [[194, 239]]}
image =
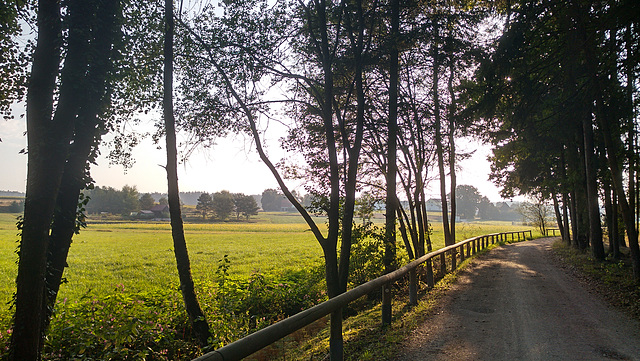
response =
{"points": [[196, 316]]}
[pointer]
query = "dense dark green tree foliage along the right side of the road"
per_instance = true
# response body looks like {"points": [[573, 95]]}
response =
{"points": [[557, 99]]}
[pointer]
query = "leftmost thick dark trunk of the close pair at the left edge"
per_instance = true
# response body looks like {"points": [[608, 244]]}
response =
{"points": [[43, 179]]}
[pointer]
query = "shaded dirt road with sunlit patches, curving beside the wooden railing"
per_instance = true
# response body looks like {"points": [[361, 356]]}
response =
{"points": [[517, 303]]}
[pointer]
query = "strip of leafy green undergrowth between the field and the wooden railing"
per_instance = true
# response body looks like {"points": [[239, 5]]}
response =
{"points": [[152, 324]]}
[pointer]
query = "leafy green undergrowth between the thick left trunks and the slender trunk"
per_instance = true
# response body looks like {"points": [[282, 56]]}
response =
{"points": [[121, 326]]}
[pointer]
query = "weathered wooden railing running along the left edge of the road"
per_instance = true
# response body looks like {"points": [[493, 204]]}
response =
{"points": [[269, 335]]}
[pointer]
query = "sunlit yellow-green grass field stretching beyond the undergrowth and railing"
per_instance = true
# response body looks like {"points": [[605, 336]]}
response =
{"points": [[108, 258]]}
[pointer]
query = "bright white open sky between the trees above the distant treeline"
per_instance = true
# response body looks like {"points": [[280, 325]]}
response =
{"points": [[230, 165]]}
